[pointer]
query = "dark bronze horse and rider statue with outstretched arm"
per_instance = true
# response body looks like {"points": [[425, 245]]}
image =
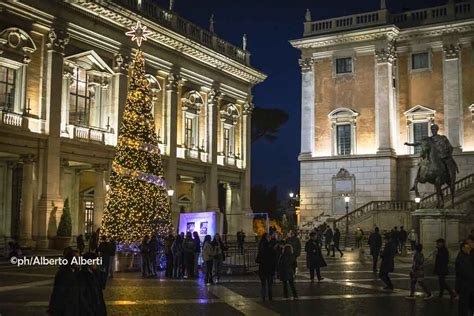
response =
{"points": [[437, 165]]}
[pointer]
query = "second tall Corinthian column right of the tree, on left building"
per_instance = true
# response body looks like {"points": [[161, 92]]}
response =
{"points": [[211, 178]]}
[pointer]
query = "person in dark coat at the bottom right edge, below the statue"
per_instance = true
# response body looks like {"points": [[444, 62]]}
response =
{"points": [[465, 279]]}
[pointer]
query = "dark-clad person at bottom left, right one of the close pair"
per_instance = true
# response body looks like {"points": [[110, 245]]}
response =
{"points": [[91, 299]]}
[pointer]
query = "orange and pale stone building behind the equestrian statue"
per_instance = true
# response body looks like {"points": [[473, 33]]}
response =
{"points": [[372, 82]]}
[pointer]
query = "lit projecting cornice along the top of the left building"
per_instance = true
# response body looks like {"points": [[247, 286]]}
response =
{"points": [[173, 40]]}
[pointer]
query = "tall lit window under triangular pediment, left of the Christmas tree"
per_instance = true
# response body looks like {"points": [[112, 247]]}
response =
{"points": [[79, 98]]}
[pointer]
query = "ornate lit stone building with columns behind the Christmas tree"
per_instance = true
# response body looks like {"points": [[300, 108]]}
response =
{"points": [[63, 85]]}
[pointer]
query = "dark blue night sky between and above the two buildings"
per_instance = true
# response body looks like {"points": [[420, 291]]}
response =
{"points": [[269, 25]]}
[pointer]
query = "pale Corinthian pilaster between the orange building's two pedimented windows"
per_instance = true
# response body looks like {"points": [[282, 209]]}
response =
{"points": [[384, 100]]}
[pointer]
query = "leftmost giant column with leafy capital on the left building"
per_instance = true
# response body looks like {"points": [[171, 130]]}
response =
{"points": [[50, 197]]}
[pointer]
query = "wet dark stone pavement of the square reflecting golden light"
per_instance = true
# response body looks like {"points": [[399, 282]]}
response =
{"points": [[349, 288]]}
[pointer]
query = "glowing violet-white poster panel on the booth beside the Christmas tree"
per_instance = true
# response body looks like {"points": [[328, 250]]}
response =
{"points": [[204, 223]]}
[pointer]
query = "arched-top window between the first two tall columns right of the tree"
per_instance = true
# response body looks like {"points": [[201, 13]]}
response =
{"points": [[192, 104]]}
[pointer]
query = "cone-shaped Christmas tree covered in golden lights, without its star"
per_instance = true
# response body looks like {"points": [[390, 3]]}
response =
{"points": [[137, 202]]}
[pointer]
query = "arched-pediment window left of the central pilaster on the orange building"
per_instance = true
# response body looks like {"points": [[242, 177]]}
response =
{"points": [[343, 131]]}
